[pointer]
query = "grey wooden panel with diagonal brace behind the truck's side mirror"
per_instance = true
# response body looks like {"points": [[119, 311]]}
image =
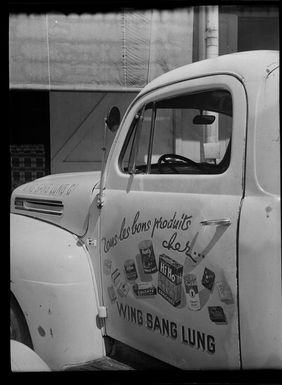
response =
{"points": [[77, 127]]}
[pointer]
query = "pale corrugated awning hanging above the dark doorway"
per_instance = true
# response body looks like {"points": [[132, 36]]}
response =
{"points": [[112, 51]]}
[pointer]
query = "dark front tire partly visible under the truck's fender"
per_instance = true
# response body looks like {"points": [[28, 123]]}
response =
{"points": [[18, 326]]}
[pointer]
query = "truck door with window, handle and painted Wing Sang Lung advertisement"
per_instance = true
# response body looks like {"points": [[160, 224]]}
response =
{"points": [[172, 194]]}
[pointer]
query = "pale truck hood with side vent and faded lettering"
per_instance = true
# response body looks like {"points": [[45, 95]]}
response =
{"points": [[62, 199]]}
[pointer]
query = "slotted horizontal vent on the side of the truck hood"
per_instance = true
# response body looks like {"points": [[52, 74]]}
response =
{"points": [[43, 206]]}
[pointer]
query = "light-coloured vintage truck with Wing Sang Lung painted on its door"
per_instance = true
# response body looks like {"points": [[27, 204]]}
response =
{"points": [[174, 249]]}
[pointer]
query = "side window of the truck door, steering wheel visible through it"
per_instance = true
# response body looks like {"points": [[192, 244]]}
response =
{"points": [[169, 136]]}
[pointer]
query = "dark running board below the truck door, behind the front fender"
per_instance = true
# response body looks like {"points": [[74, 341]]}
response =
{"points": [[105, 363]]}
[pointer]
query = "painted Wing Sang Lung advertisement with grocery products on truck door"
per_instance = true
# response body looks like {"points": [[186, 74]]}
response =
{"points": [[168, 288]]}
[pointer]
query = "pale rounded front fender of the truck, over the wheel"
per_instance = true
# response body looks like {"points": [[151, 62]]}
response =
{"points": [[52, 281]]}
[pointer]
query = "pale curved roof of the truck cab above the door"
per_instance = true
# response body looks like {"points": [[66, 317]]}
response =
{"points": [[249, 65]]}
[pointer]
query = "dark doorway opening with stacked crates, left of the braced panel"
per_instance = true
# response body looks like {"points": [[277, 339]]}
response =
{"points": [[29, 135]]}
